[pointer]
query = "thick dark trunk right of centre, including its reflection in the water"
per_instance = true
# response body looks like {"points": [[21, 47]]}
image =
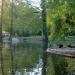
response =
{"points": [[45, 39]]}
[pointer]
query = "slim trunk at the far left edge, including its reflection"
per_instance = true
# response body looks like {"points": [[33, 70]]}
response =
{"points": [[1, 41]]}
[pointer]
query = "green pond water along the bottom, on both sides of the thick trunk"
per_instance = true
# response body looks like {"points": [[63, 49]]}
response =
{"points": [[27, 56]]}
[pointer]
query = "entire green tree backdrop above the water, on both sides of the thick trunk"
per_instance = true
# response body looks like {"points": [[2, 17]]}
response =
{"points": [[27, 19]]}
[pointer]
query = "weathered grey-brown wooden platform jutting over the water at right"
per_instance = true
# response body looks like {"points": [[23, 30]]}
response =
{"points": [[68, 52]]}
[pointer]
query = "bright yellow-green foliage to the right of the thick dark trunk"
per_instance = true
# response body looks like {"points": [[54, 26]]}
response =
{"points": [[60, 15]]}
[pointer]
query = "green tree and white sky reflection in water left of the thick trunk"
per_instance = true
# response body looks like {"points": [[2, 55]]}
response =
{"points": [[27, 58]]}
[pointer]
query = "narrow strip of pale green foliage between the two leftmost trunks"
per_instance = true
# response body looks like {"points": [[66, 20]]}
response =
{"points": [[6, 15]]}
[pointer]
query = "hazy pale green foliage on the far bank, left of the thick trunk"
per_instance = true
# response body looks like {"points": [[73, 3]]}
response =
{"points": [[25, 21]]}
